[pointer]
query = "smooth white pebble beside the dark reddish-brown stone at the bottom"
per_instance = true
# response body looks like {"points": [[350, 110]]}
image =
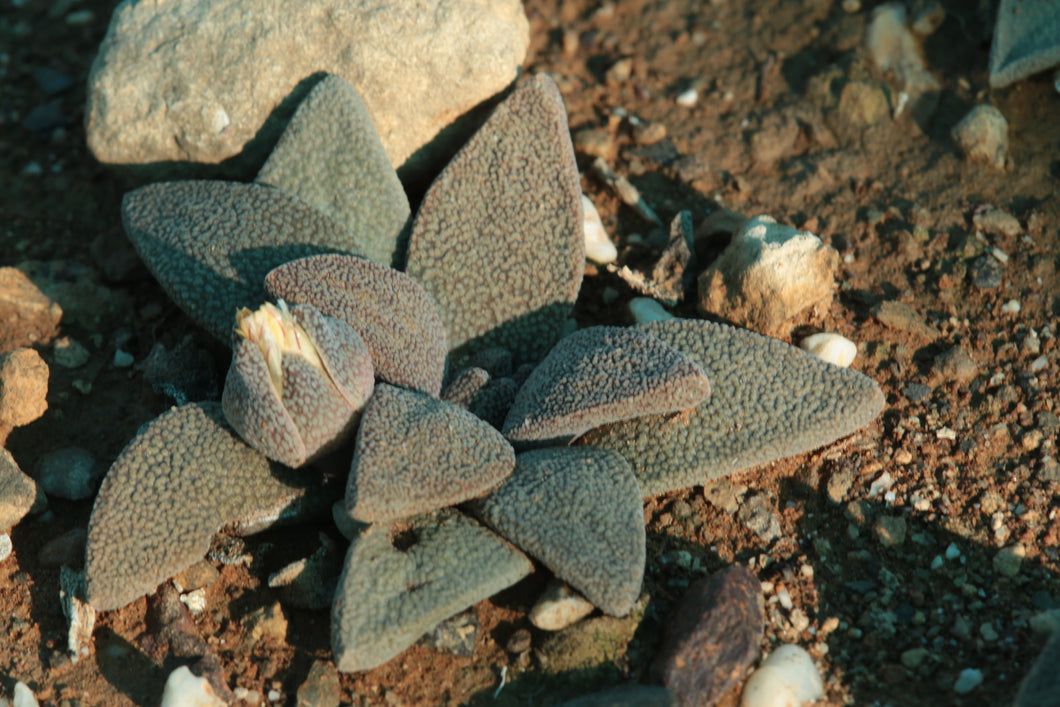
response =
{"points": [[786, 679]]}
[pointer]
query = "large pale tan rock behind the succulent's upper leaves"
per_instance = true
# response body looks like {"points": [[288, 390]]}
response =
{"points": [[205, 81]]}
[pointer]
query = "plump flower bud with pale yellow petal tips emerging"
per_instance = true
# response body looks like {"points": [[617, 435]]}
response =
{"points": [[298, 382]]}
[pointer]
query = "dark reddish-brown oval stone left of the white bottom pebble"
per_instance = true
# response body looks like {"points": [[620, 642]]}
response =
{"points": [[715, 638]]}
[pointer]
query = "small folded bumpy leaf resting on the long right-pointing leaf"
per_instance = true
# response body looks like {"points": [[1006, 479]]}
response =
{"points": [[599, 376]]}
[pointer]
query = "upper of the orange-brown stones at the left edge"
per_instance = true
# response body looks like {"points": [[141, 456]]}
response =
{"points": [[28, 316]]}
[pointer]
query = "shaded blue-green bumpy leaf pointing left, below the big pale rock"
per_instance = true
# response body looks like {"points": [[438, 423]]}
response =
{"points": [[210, 244]]}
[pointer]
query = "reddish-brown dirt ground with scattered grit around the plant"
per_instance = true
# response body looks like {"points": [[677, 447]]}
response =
{"points": [[971, 459]]}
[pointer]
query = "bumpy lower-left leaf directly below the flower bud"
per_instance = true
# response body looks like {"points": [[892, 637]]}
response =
{"points": [[183, 479]]}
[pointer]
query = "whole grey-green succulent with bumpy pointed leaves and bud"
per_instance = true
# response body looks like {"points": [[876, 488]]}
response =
{"points": [[494, 263]]}
